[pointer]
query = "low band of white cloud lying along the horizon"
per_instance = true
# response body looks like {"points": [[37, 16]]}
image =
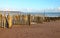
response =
{"points": [[31, 9]]}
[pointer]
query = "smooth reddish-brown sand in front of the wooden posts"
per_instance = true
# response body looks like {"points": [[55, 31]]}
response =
{"points": [[45, 30]]}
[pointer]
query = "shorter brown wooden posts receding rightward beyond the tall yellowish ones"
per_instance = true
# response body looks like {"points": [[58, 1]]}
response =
{"points": [[32, 19]]}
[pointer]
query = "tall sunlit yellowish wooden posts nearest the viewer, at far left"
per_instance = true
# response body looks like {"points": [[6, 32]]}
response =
{"points": [[5, 21]]}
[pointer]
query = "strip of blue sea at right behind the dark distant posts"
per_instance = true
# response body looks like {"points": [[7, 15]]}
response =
{"points": [[48, 14]]}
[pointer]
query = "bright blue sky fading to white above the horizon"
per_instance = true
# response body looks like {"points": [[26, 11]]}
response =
{"points": [[29, 5]]}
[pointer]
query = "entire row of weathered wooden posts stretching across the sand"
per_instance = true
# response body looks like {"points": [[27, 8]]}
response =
{"points": [[8, 20]]}
